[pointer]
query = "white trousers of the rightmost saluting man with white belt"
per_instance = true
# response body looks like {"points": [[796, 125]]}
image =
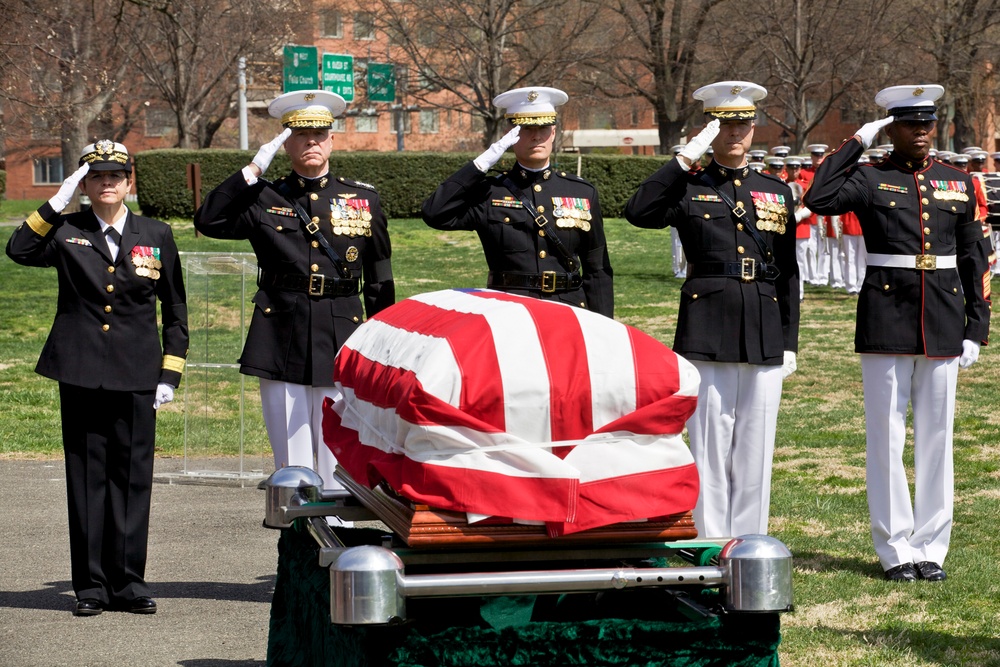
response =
{"points": [[905, 532]]}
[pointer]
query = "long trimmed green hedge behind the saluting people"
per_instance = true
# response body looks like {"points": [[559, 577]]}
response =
{"points": [[403, 180]]}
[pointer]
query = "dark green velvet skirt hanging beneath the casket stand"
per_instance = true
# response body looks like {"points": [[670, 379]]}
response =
{"points": [[640, 627]]}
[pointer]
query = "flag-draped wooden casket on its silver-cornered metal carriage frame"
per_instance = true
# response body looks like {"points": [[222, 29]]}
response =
{"points": [[514, 447]]}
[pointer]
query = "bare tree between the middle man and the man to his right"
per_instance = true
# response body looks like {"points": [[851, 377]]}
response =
{"points": [[654, 54]]}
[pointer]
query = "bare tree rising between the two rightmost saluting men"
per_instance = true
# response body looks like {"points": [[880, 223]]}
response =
{"points": [[811, 60]]}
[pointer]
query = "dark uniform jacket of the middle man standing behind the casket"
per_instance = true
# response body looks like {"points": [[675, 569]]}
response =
{"points": [[520, 258]]}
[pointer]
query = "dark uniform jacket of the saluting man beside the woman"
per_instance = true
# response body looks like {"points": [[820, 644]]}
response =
{"points": [[303, 310]]}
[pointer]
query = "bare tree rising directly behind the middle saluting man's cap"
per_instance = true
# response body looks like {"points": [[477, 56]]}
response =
{"points": [[460, 54]]}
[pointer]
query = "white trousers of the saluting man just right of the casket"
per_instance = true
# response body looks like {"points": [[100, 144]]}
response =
{"points": [[732, 440]]}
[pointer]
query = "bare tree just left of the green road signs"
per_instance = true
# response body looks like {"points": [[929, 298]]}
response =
{"points": [[188, 52]]}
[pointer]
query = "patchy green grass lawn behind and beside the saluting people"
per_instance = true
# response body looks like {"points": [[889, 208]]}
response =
{"points": [[845, 614]]}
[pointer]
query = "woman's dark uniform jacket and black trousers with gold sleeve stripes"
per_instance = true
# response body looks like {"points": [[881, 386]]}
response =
{"points": [[105, 351]]}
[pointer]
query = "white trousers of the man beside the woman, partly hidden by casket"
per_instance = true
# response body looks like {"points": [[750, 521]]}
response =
{"points": [[293, 416]]}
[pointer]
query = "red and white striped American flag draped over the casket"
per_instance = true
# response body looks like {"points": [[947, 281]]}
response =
{"points": [[507, 406]]}
